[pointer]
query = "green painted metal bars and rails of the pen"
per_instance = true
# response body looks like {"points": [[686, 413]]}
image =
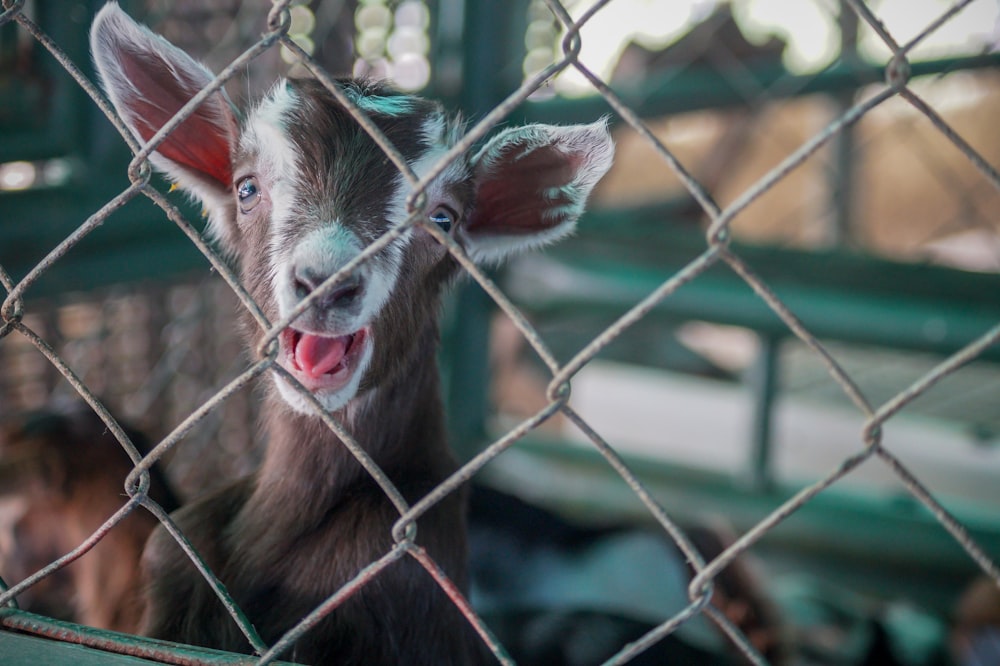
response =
{"points": [[838, 295]]}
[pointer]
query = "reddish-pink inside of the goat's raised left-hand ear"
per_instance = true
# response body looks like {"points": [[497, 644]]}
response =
{"points": [[200, 143]]}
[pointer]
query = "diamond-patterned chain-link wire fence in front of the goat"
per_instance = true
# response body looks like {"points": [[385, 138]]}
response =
{"points": [[717, 250]]}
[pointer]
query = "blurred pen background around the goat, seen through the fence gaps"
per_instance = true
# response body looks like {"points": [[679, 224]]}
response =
{"points": [[884, 242]]}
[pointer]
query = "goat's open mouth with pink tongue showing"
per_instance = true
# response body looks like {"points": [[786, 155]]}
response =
{"points": [[322, 362]]}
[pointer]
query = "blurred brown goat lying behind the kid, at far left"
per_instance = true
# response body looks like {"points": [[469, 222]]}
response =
{"points": [[63, 475]]}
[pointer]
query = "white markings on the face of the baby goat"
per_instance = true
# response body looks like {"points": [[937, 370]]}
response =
{"points": [[327, 248]]}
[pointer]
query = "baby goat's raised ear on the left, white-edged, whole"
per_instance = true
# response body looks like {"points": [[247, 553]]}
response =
{"points": [[148, 80]]}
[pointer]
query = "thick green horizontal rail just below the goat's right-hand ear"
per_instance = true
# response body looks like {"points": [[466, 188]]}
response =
{"points": [[837, 294]]}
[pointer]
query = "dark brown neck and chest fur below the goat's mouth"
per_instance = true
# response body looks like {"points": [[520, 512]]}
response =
{"points": [[309, 521]]}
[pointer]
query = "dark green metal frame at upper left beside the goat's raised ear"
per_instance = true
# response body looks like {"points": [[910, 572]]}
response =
{"points": [[137, 242]]}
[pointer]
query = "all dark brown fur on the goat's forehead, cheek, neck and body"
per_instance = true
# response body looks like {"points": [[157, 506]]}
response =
{"points": [[311, 518]]}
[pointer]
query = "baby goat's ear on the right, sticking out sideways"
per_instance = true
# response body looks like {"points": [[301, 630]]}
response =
{"points": [[531, 186]]}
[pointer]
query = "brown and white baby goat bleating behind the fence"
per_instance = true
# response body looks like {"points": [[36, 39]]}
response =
{"points": [[293, 190]]}
